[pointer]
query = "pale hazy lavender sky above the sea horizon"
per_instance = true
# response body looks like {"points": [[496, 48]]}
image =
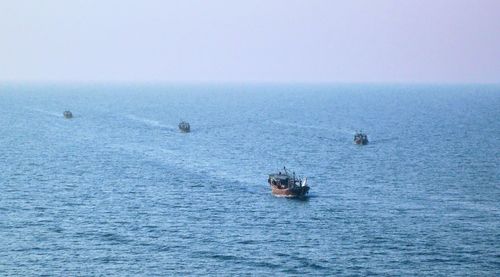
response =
{"points": [[250, 41]]}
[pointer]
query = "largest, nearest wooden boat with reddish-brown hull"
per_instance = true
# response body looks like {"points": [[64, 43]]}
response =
{"points": [[287, 185]]}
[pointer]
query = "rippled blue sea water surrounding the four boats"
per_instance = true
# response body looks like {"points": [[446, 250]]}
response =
{"points": [[119, 191]]}
